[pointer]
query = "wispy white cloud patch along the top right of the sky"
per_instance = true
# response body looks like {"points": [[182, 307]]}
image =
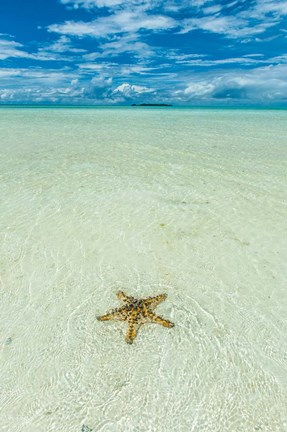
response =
{"points": [[132, 16]]}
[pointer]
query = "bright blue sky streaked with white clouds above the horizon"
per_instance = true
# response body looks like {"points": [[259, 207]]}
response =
{"points": [[115, 52]]}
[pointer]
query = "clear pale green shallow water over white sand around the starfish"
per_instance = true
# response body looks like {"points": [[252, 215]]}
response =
{"points": [[187, 202]]}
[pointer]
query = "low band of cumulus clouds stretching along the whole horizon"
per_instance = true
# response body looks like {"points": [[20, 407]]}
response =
{"points": [[263, 85]]}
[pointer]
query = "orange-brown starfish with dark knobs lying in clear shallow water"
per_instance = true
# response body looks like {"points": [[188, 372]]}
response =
{"points": [[136, 312]]}
